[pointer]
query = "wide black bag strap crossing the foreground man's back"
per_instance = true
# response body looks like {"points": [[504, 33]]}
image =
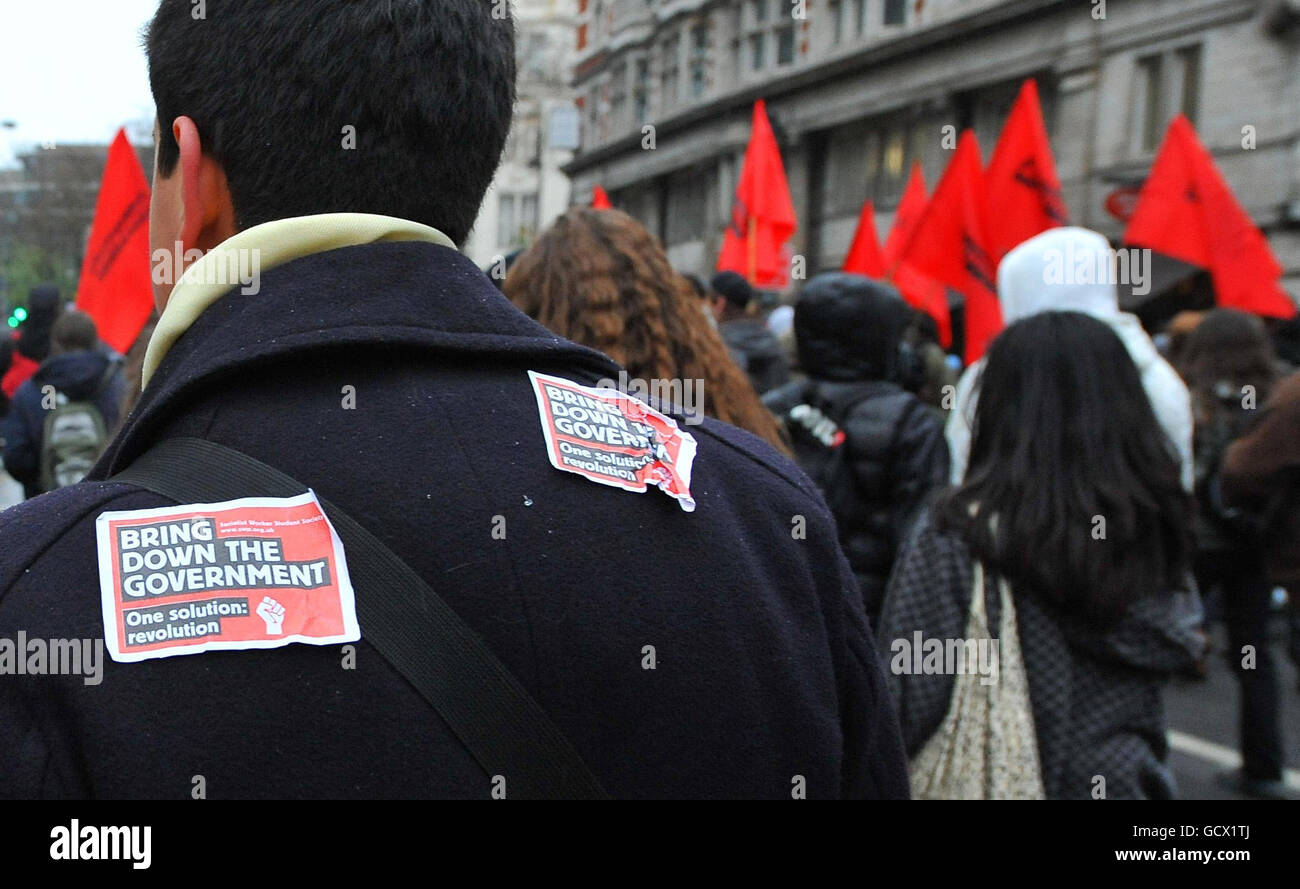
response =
{"points": [[402, 617]]}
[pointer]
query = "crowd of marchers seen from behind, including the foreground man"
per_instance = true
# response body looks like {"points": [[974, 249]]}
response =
{"points": [[877, 574]]}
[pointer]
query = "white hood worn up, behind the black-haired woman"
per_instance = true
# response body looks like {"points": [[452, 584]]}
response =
{"points": [[1063, 270]]}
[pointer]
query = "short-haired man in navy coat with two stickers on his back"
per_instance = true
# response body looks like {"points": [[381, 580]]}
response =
{"points": [[341, 150]]}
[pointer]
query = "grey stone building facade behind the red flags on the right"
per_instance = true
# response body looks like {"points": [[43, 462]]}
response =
{"points": [[857, 90]]}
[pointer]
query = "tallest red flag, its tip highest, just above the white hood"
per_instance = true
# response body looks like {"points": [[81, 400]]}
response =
{"points": [[1024, 192]]}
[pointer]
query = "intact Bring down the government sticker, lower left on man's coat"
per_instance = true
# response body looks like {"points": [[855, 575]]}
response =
{"points": [[250, 574]]}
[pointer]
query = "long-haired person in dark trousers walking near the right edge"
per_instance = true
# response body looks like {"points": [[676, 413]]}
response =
{"points": [[1230, 368]]}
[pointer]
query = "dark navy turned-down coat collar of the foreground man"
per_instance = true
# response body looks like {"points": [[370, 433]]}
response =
{"points": [[380, 294]]}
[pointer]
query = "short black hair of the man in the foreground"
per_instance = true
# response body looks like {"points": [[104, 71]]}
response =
{"points": [[428, 85]]}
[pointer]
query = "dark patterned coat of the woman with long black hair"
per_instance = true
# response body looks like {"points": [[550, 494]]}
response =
{"points": [[1097, 695]]}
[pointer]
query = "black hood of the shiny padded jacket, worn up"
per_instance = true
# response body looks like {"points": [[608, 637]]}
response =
{"points": [[848, 328]]}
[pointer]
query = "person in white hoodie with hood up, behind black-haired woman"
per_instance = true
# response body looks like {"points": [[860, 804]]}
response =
{"points": [[1051, 272]]}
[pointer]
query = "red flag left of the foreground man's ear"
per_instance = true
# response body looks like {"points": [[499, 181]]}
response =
{"points": [[115, 287]]}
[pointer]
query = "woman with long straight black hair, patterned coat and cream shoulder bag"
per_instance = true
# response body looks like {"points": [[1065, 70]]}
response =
{"points": [[1073, 509]]}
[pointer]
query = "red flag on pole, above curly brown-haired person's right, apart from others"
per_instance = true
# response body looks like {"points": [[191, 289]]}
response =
{"points": [[762, 214]]}
